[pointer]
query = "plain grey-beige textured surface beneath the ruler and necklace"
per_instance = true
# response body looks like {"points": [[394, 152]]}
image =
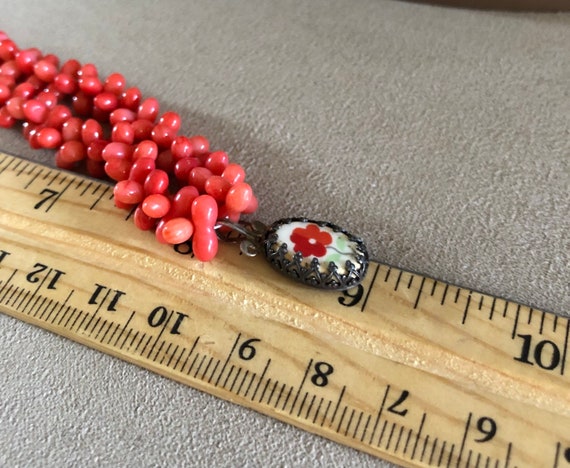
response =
{"points": [[440, 135]]}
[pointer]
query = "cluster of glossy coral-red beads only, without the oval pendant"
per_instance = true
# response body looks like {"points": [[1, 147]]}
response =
{"points": [[175, 184]]}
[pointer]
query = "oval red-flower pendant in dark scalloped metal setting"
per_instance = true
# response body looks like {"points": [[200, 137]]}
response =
{"points": [[316, 253]]}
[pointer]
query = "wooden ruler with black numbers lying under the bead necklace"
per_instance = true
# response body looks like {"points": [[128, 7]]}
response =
{"points": [[404, 367]]}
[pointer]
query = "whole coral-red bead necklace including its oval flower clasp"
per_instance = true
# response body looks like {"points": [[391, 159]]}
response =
{"points": [[175, 185]]}
